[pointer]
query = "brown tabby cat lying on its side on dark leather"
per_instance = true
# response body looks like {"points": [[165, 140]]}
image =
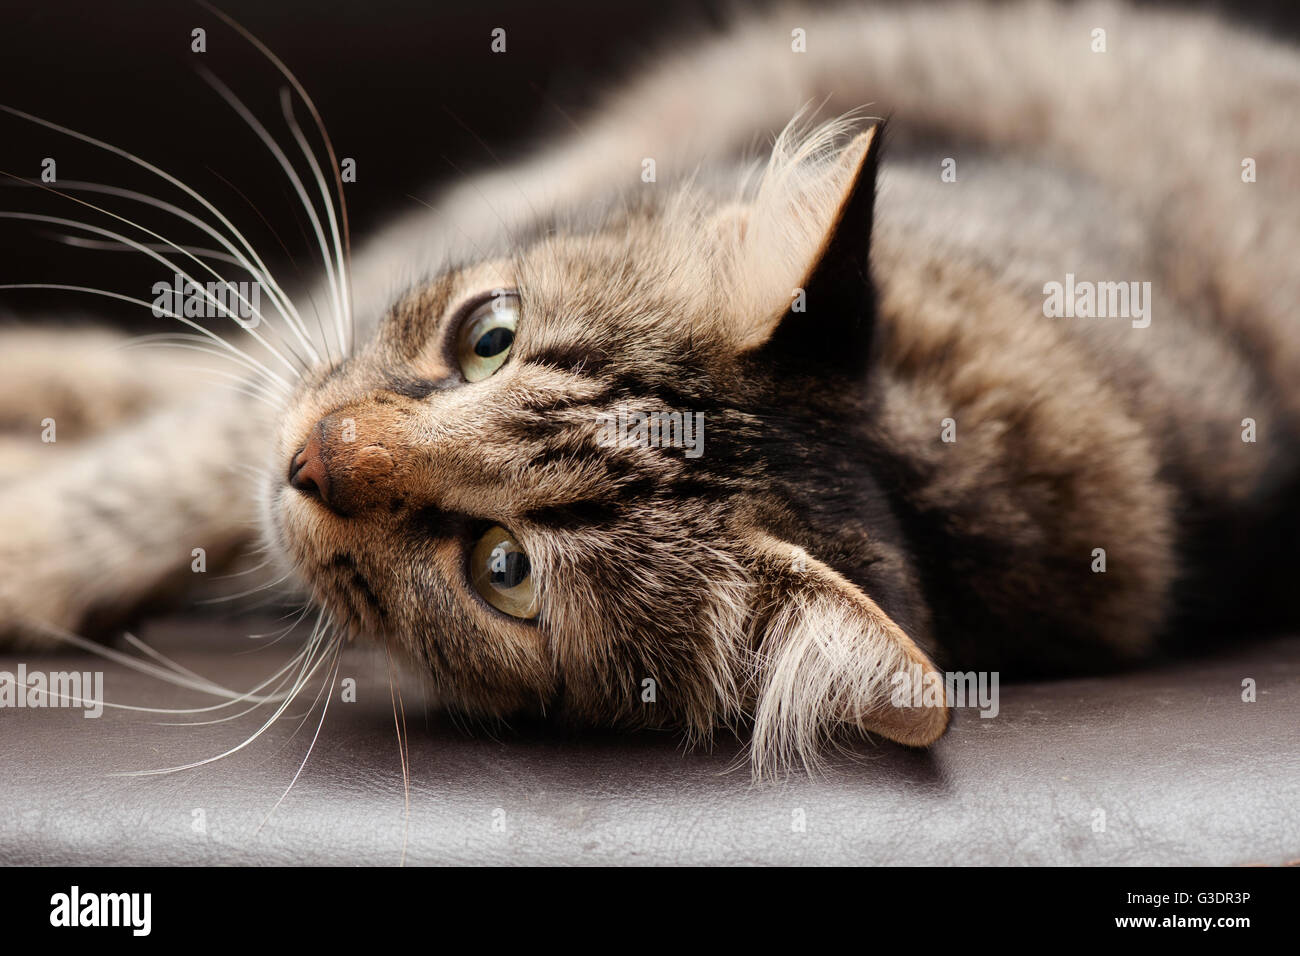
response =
{"points": [[921, 440]]}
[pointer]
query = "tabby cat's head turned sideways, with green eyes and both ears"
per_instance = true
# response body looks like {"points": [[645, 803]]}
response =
{"points": [[617, 477]]}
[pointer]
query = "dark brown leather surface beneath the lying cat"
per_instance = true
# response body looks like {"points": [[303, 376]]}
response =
{"points": [[1185, 772]]}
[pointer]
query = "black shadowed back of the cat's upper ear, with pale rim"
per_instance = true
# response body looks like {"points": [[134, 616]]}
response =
{"points": [[831, 317]]}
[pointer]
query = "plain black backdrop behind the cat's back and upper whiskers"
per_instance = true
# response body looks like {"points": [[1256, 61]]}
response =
{"points": [[409, 89]]}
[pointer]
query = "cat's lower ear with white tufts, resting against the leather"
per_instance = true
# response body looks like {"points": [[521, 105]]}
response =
{"points": [[831, 660]]}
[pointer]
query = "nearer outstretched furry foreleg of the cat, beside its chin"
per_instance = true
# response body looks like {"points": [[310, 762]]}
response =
{"points": [[129, 518]]}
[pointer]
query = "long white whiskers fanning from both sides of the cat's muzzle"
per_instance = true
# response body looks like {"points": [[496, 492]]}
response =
{"points": [[287, 343]]}
